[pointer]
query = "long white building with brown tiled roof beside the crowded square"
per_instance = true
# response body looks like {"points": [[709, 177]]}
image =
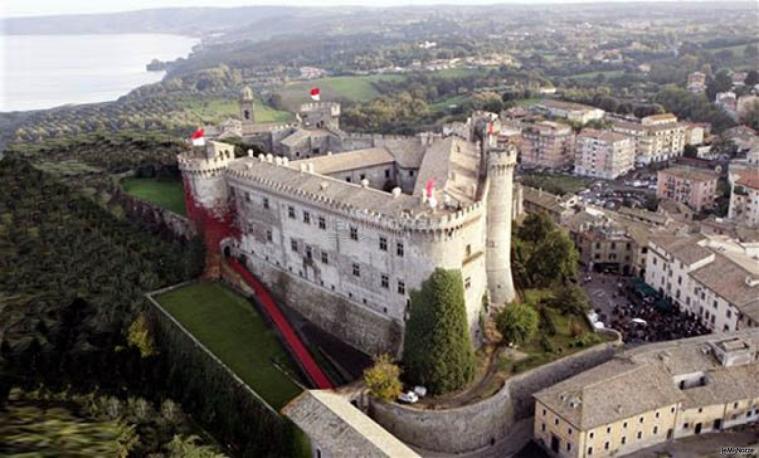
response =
{"points": [[715, 279]]}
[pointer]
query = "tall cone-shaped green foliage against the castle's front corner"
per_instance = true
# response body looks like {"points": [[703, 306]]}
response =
{"points": [[437, 350]]}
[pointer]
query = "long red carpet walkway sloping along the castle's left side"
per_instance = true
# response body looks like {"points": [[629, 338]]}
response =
{"points": [[299, 351]]}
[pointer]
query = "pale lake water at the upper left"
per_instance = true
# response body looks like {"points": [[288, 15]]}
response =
{"points": [[45, 71]]}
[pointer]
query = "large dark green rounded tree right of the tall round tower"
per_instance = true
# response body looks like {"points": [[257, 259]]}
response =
{"points": [[554, 260]]}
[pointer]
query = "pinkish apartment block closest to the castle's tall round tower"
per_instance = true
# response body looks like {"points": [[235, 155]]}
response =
{"points": [[547, 144]]}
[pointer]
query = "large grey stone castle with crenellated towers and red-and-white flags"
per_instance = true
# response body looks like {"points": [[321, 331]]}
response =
{"points": [[342, 227]]}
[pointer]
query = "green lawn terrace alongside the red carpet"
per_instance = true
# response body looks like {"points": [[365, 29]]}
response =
{"points": [[232, 329]]}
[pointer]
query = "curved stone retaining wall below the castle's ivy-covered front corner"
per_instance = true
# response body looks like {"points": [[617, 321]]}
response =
{"points": [[477, 426]]}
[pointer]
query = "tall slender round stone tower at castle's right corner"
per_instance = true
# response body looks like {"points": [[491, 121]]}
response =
{"points": [[500, 175]]}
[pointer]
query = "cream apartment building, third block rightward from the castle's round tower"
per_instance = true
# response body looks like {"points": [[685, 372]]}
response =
{"points": [[657, 138]]}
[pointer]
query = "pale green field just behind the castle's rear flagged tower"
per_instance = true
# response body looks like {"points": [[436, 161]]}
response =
{"points": [[354, 88]]}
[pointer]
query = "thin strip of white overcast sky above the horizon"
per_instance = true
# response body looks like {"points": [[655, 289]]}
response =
{"points": [[10, 8]]}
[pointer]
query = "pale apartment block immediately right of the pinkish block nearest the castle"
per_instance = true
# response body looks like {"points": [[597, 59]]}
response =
{"points": [[603, 154]]}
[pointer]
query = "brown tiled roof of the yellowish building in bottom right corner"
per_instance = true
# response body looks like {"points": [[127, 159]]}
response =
{"points": [[643, 379]]}
